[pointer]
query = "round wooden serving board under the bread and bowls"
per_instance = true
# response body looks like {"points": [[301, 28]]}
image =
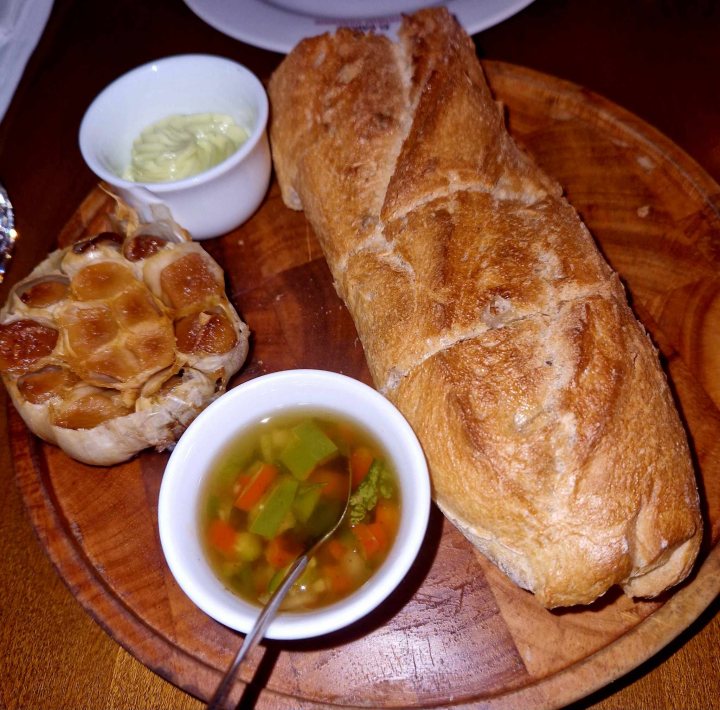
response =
{"points": [[457, 632]]}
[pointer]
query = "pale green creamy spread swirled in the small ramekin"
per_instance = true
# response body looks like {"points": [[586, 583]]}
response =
{"points": [[180, 146]]}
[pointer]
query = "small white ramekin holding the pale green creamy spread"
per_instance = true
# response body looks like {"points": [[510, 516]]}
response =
{"points": [[214, 201]]}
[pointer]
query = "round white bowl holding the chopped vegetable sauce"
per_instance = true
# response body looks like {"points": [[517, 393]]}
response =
{"points": [[244, 406]]}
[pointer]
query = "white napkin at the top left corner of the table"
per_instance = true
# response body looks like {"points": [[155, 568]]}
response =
{"points": [[21, 24]]}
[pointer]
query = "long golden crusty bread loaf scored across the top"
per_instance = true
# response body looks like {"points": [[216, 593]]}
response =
{"points": [[487, 314]]}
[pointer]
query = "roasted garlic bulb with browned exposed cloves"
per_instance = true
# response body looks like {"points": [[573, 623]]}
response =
{"points": [[115, 343]]}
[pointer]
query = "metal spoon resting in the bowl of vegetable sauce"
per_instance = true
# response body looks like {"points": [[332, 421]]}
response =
{"points": [[268, 612]]}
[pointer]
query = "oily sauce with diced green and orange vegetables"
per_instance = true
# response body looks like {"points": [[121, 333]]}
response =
{"points": [[278, 488]]}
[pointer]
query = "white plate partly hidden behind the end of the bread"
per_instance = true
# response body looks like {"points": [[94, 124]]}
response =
{"points": [[278, 25]]}
